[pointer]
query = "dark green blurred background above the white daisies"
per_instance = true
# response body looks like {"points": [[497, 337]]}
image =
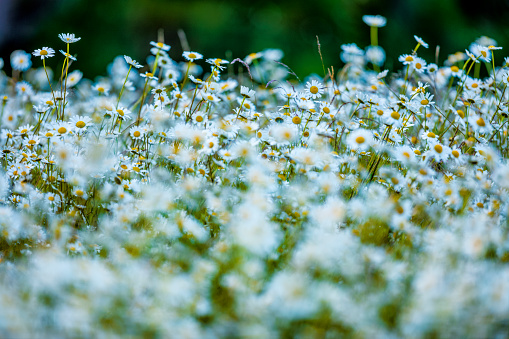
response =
{"points": [[232, 28]]}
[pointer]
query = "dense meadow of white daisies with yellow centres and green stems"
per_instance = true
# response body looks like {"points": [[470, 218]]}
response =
{"points": [[196, 197]]}
